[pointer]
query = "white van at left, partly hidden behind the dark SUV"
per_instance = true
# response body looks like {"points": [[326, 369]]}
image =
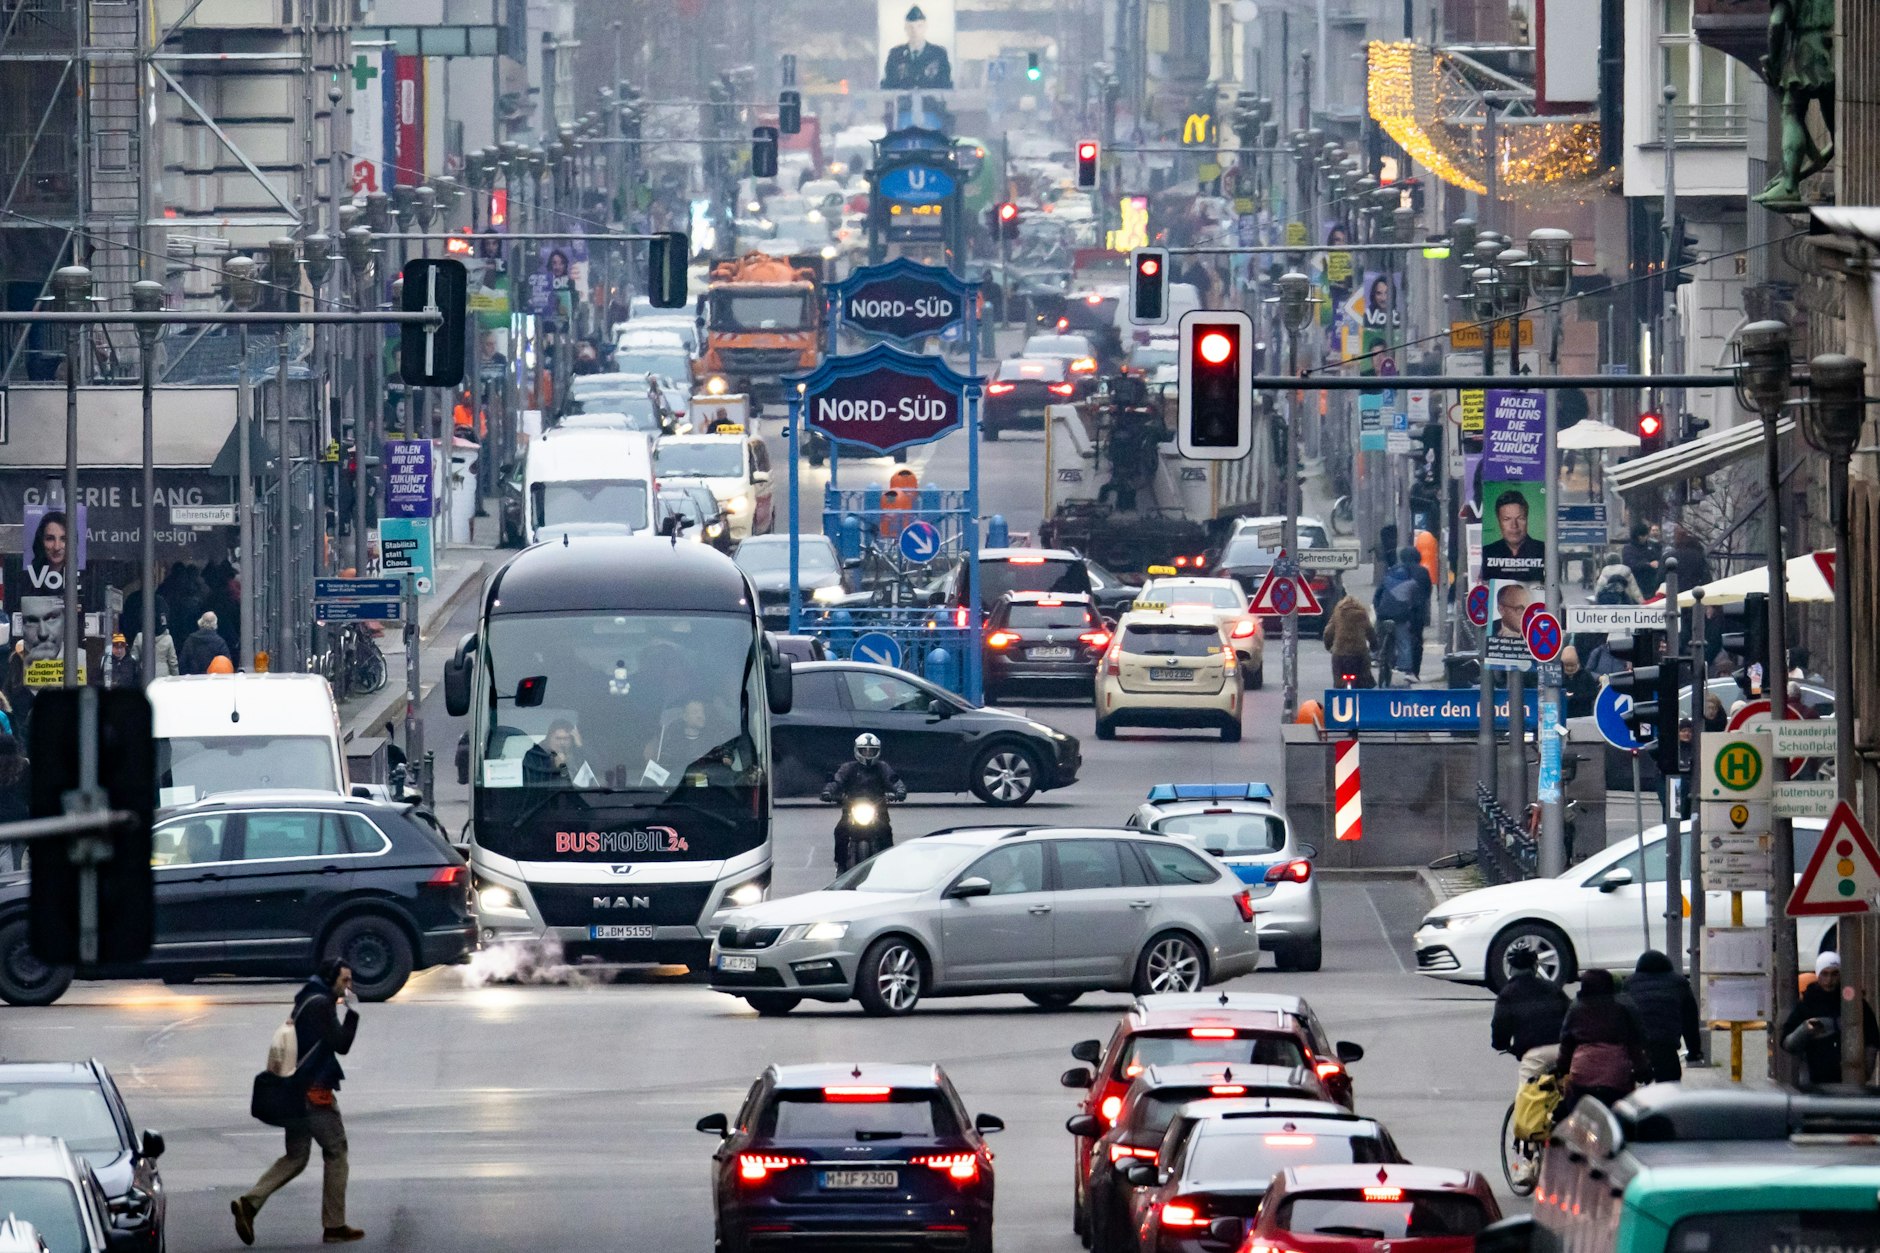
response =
{"points": [[236, 733]]}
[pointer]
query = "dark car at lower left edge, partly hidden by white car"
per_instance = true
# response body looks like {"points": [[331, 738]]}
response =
{"points": [[80, 1103]]}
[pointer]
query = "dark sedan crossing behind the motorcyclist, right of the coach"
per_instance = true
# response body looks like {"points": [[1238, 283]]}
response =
{"points": [[932, 738]]}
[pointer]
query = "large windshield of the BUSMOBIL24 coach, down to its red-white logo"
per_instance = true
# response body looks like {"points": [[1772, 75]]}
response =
{"points": [[621, 712]]}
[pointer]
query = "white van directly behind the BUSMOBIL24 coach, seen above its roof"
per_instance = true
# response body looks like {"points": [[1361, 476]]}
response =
{"points": [[589, 483]]}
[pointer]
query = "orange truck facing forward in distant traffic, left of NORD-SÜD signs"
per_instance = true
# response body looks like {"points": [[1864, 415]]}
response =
{"points": [[762, 321]]}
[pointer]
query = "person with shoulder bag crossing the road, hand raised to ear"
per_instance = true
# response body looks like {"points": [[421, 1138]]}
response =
{"points": [[326, 1017]]}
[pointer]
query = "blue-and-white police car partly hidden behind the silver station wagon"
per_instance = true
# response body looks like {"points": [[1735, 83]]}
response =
{"points": [[1240, 825]]}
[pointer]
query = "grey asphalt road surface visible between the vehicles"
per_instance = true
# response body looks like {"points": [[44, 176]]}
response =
{"points": [[559, 1117]]}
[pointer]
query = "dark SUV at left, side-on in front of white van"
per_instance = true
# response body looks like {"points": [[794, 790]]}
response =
{"points": [[272, 883]]}
